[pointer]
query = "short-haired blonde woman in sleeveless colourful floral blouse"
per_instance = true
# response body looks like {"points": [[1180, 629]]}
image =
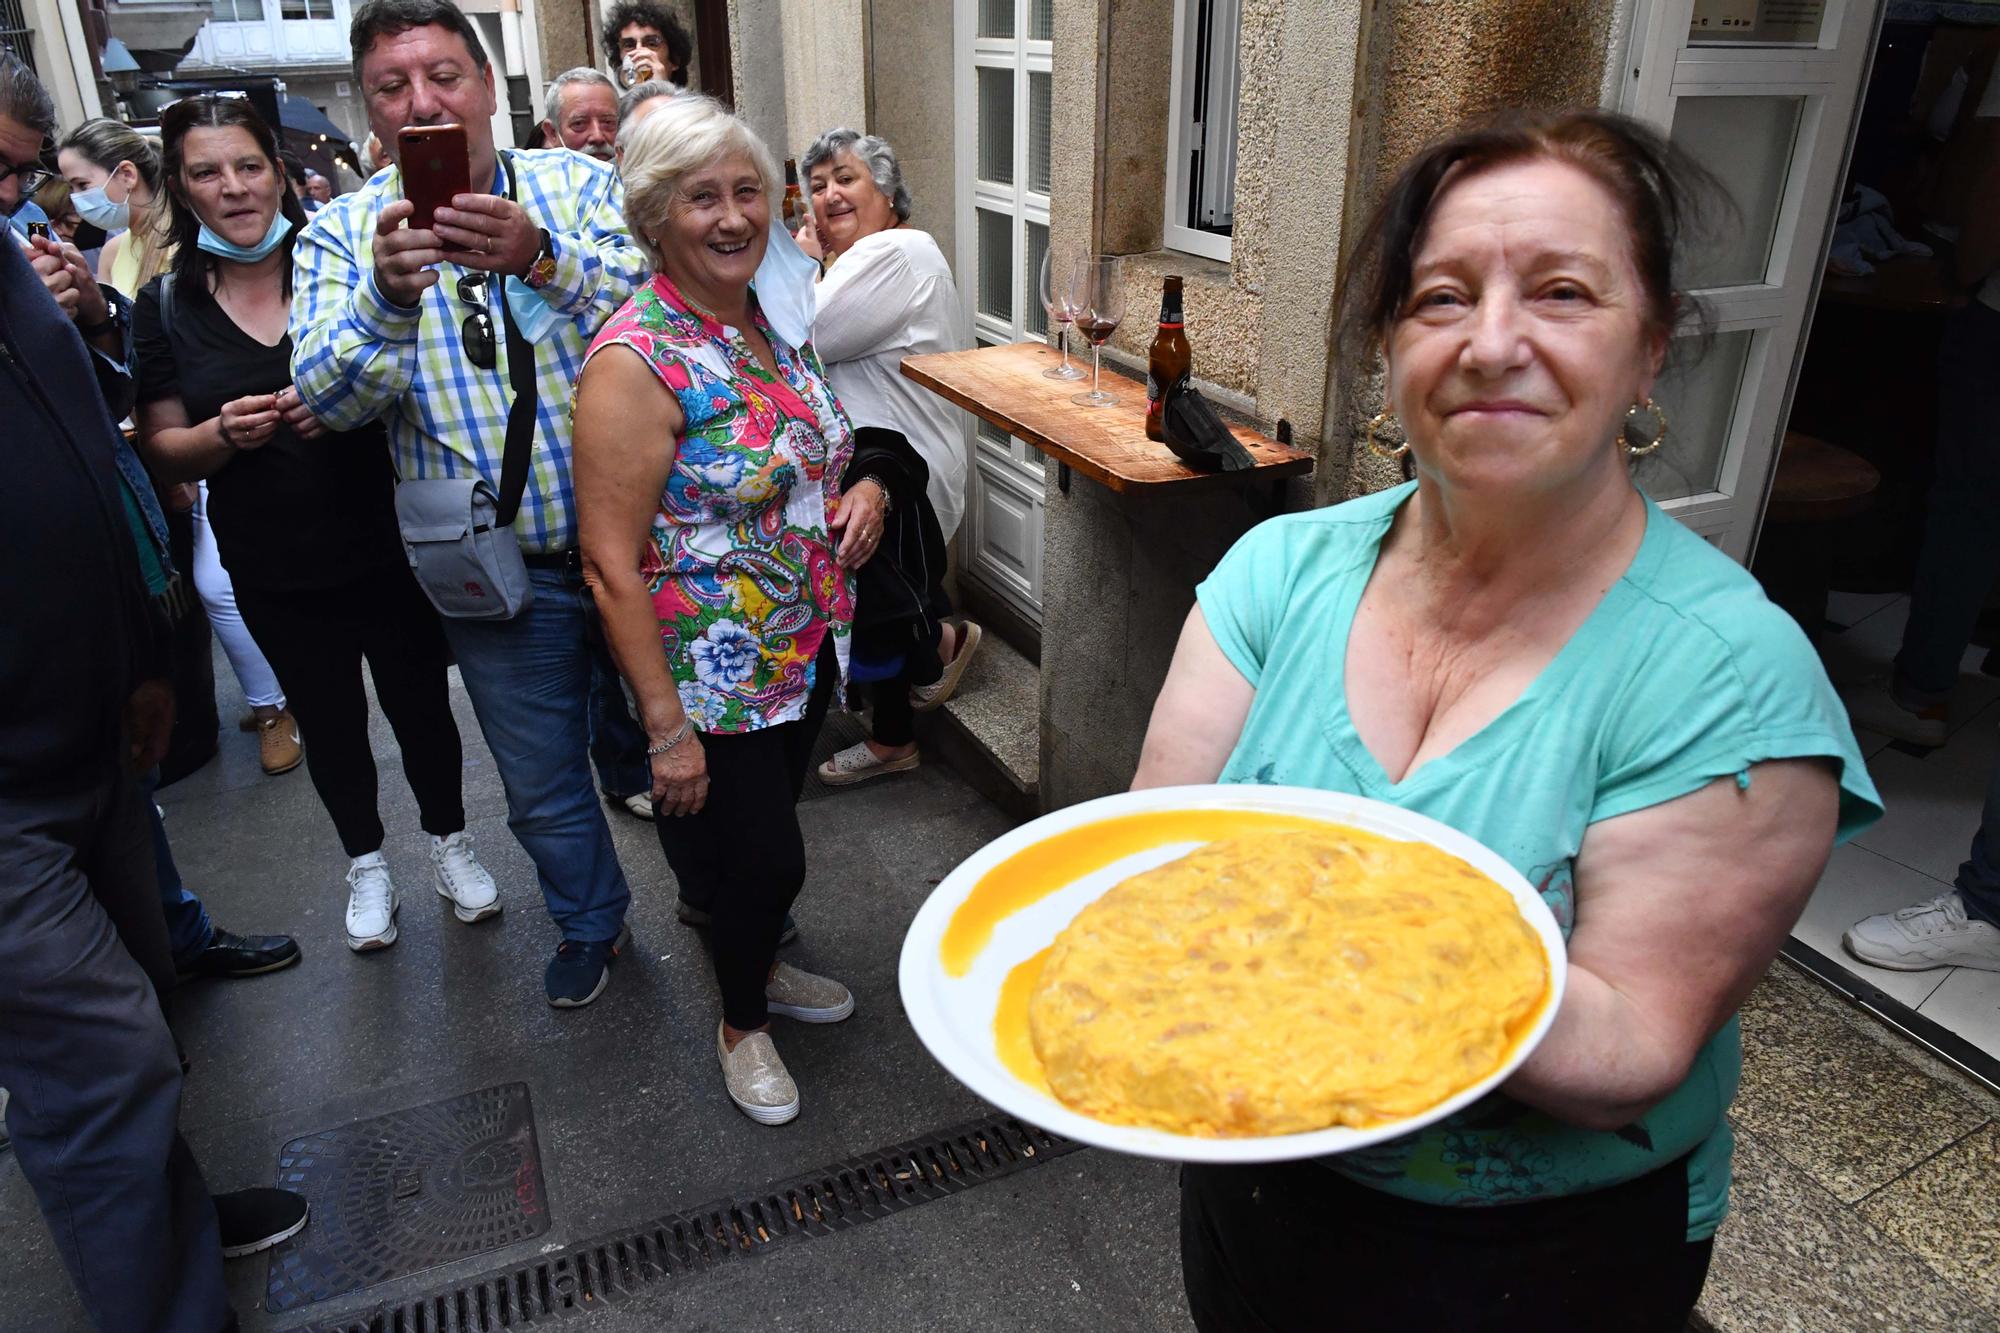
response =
{"points": [[719, 547]]}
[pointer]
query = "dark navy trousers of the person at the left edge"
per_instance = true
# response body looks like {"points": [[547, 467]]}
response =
{"points": [[91, 1066]]}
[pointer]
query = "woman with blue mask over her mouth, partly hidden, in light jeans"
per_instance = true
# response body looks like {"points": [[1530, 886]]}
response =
{"points": [[117, 185]]}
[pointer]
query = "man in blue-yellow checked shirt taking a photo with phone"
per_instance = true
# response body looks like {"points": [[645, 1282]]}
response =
{"points": [[407, 325]]}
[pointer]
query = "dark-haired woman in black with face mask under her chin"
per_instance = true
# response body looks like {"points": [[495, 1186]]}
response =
{"points": [[305, 517]]}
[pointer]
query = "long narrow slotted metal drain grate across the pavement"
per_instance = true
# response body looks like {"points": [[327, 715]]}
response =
{"points": [[601, 1274]]}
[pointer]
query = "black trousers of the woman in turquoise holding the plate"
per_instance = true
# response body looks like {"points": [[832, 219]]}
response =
{"points": [[1295, 1246]]}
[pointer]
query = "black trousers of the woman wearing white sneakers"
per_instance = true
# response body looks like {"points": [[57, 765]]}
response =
{"points": [[317, 641]]}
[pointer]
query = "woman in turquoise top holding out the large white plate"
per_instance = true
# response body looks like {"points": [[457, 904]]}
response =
{"points": [[1527, 649]]}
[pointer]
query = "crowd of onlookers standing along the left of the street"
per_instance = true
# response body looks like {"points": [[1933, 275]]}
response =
{"points": [[339, 427]]}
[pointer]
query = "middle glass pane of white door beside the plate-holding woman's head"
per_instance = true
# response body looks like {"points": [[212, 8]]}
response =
{"points": [[1747, 143]]}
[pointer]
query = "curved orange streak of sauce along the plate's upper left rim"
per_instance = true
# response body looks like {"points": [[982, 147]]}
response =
{"points": [[1059, 862]]}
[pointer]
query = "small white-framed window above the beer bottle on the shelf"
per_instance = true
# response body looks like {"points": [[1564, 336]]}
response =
{"points": [[1215, 131]]}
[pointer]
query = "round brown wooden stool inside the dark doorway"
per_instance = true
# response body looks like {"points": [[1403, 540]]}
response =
{"points": [[1815, 489]]}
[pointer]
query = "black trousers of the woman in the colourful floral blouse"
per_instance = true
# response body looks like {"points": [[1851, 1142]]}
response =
{"points": [[743, 856]]}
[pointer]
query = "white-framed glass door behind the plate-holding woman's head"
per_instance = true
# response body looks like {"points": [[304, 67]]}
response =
{"points": [[1765, 95]]}
